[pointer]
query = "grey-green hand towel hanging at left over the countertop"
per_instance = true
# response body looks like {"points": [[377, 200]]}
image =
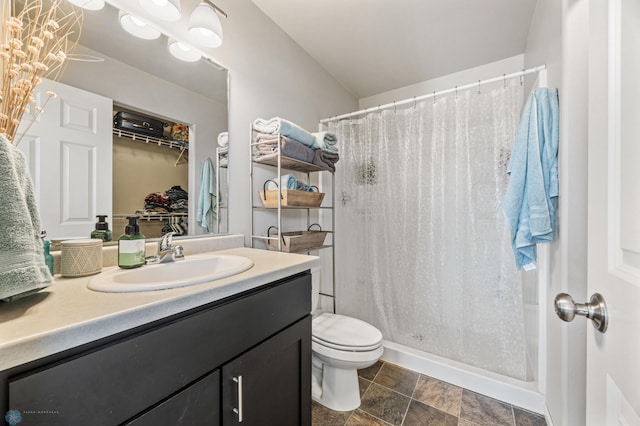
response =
{"points": [[22, 267]]}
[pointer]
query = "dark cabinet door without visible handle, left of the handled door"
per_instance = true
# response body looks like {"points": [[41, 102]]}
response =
{"points": [[199, 404]]}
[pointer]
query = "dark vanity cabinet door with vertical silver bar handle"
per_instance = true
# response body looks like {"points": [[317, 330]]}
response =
{"points": [[271, 383]]}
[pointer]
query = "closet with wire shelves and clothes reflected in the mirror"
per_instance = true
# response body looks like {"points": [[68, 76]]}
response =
{"points": [[150, 172]]}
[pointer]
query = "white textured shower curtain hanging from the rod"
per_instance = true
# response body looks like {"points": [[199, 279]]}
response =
{"points": [[422, 247]]}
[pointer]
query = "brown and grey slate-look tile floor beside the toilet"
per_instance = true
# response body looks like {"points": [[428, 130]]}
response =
{"points": [[392, 395]]}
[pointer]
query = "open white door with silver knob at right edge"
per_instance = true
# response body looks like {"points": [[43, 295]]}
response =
{"points": [[613, 358]]}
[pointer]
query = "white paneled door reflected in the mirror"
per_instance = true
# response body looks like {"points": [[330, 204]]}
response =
{"points": [[69, 150]]}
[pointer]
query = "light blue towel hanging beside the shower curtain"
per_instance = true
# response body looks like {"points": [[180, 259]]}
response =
{"points": [[530, 200]]}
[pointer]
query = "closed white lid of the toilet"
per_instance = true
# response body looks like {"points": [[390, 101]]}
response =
{"points": [[339, 331]]}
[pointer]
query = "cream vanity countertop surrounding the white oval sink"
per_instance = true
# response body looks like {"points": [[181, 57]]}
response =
{"points": [[68, 314]]}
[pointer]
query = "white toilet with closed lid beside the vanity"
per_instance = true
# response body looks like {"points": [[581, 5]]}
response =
{"points": [[340, 346]]}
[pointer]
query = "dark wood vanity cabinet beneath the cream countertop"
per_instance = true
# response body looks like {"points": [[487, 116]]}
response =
{"points": [[243, 360]]}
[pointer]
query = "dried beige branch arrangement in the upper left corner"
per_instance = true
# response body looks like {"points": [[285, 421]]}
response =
{"points": [[35, 44]]}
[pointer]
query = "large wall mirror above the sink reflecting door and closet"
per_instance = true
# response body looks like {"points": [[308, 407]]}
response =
{"points": [[115, 71]]}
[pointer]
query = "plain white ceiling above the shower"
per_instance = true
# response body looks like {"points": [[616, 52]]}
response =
{"points": [[373, 46]]}
